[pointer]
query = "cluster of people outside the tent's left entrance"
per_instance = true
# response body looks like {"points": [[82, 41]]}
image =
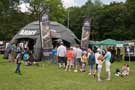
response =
{"points": [[16, 53]]}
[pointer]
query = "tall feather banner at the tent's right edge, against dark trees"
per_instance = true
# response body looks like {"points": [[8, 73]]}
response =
{"points": [[85, 33]]}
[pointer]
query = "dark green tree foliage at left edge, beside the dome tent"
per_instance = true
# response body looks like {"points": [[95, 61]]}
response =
{"points": [[11, 20]]}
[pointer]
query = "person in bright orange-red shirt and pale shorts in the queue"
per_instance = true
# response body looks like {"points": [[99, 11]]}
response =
{"points": [[70, 57]]}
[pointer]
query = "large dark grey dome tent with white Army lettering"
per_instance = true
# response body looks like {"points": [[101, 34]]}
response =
{"points": [[31, 33]]}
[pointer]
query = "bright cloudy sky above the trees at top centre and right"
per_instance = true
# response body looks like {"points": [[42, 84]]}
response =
{"points": [[69, 3]]}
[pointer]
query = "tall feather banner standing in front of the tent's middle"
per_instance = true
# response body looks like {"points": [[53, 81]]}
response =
{"points": [[46, 35]]}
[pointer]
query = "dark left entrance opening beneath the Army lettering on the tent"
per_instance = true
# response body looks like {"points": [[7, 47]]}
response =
{"points": [[27, 42]]}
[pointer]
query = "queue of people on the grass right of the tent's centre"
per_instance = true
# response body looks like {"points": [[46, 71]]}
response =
{"points": [[76, 59]]}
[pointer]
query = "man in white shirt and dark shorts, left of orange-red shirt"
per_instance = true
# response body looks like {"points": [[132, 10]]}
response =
{"points": [[61, 53]]}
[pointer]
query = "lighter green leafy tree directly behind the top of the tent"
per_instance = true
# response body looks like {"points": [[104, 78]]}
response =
{"points": [[56, 10]]}
